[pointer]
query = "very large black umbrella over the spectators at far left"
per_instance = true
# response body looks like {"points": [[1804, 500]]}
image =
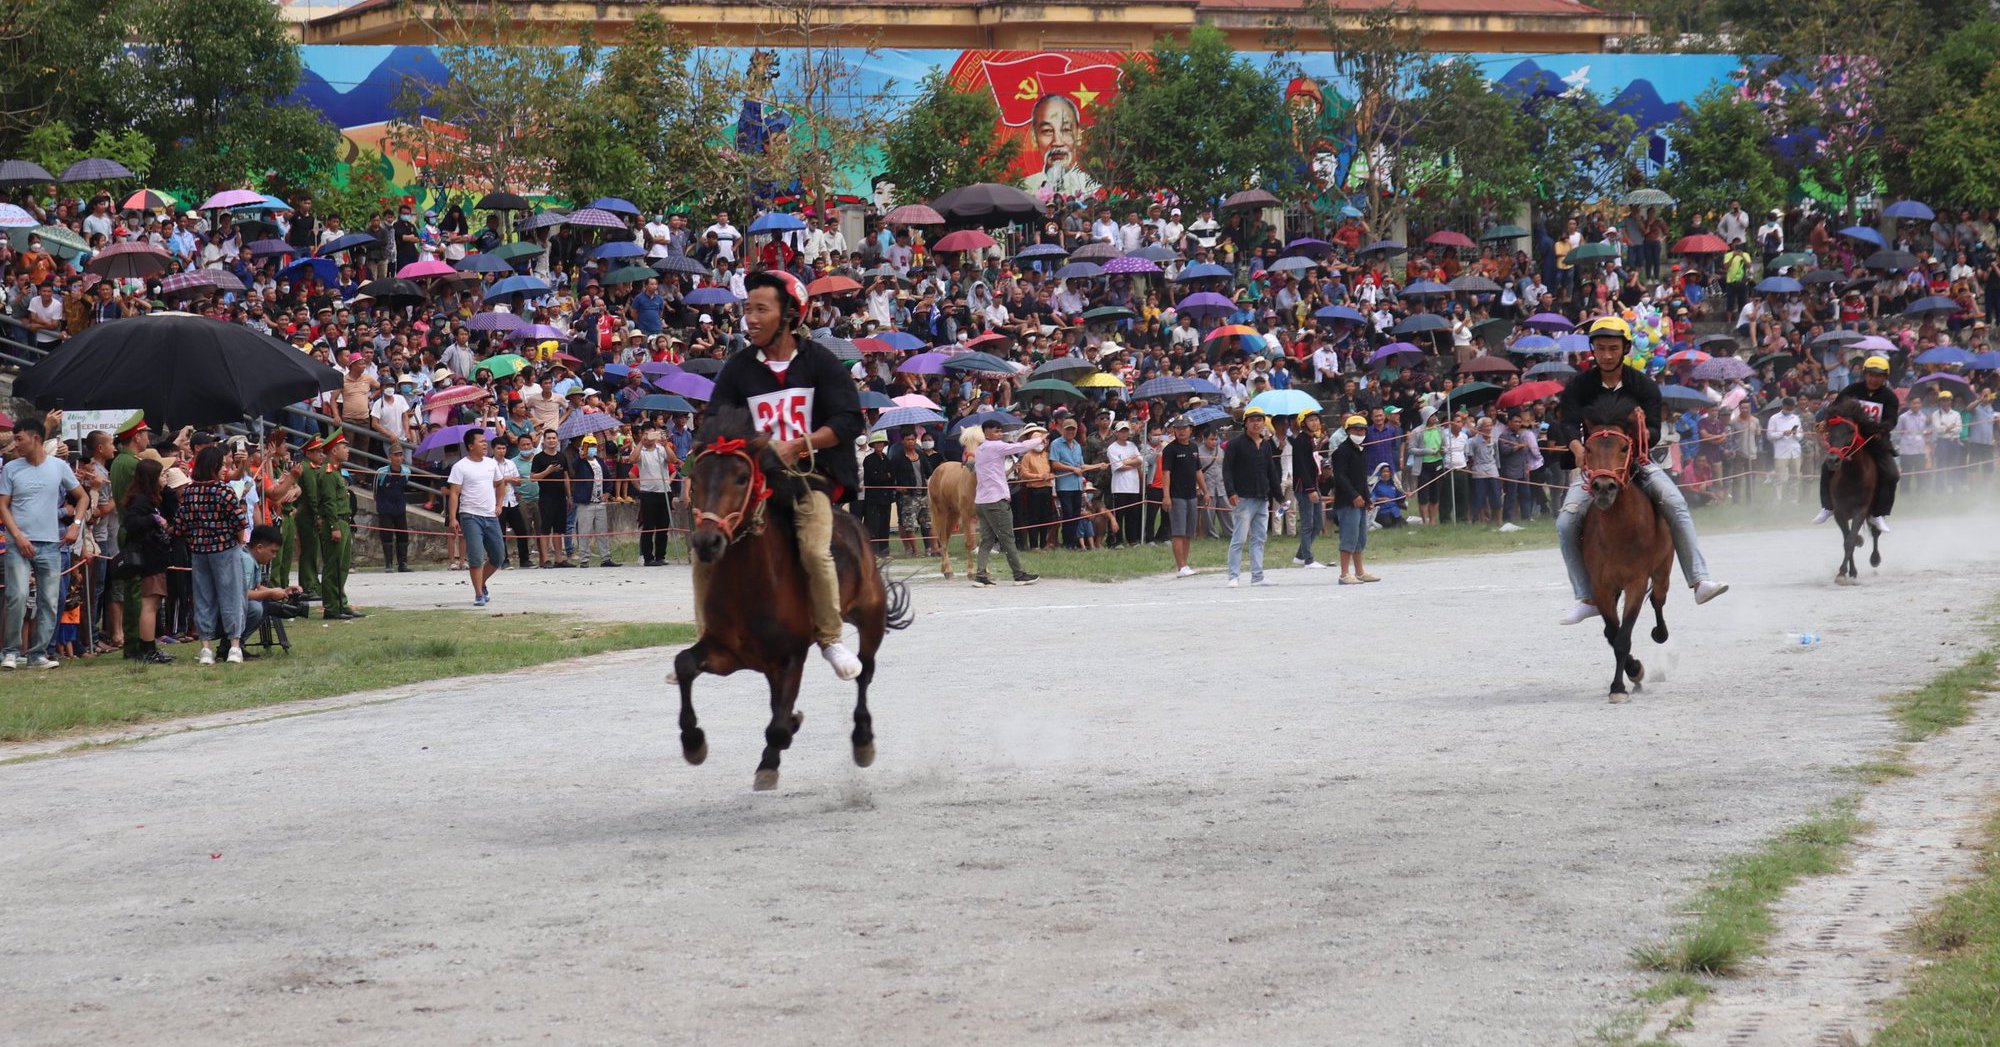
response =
{"points": [[179, 369]]}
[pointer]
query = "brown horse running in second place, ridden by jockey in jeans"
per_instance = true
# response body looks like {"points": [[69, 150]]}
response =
{"points": [[1627, 544]]}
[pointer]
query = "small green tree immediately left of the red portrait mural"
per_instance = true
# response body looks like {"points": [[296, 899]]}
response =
{"points": [[947, 139]]}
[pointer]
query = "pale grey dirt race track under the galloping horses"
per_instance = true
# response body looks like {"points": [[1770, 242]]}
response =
{"points": [[1141, 814]]}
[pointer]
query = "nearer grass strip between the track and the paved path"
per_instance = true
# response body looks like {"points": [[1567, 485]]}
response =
{"points": [[1735, 906]]}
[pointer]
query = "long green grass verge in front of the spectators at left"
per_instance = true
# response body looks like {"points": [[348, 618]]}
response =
{"points": [[383, 650]]}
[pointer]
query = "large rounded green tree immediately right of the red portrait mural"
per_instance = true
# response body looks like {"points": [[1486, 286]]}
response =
{"points": [[1195, 119]]}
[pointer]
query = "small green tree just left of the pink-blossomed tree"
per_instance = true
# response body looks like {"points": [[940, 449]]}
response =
{"points": [[1723, 153]]}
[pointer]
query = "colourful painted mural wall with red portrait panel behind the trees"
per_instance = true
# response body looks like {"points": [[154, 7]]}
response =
{"points": [[1051, 99]]}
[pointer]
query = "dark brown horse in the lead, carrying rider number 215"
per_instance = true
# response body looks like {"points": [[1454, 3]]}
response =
{"points": [[757, 612]]}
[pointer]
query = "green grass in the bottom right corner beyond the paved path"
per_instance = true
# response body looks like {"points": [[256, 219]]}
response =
{"points": [[1955, 1002]]}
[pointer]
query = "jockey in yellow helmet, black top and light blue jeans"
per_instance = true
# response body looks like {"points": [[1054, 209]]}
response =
{"points": [[1613, 389]]}
